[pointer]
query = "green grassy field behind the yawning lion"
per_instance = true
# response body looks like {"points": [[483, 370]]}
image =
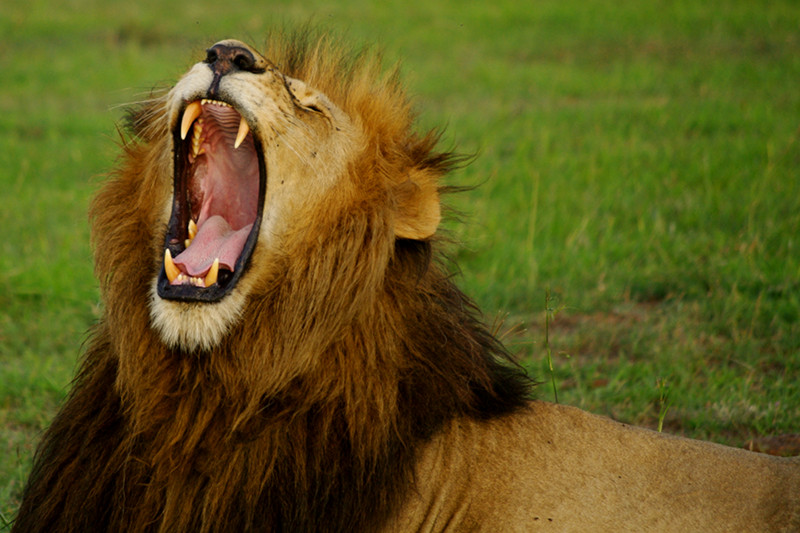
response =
{"points": [[639, 162]]}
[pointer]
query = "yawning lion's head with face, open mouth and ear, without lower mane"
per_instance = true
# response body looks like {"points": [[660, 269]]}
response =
{"points": [[260, 163]]}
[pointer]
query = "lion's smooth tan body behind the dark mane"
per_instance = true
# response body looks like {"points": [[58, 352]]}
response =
{"points": [[556, 468]]}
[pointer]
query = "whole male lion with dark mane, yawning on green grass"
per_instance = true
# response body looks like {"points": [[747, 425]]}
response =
{"points": [[280, 350]]}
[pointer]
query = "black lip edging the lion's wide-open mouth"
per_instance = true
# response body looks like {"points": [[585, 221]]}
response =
{"points": [[180, 218]]}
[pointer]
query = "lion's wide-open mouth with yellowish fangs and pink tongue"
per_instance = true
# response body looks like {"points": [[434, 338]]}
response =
{"points": [[218, 198]]}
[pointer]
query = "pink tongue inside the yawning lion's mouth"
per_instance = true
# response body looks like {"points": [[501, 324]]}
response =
{"points": [[214, 238]]}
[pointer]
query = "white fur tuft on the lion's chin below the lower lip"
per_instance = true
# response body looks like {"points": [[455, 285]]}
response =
{"points": [[194, 326]]}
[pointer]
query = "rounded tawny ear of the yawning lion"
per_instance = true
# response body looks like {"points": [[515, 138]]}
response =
{"points": [[418, 209]]}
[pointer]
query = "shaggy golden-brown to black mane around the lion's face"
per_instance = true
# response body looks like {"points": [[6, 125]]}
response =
{"points": [[355, 349]]}
